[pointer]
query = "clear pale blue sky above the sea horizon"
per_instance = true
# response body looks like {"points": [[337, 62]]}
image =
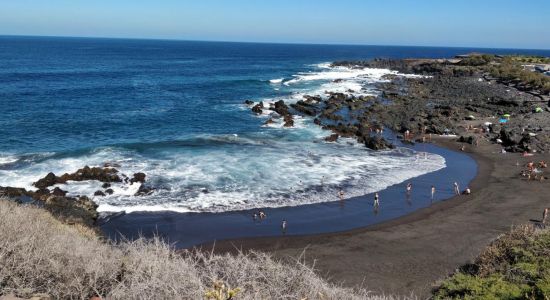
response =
{"points": [[476, 23]]}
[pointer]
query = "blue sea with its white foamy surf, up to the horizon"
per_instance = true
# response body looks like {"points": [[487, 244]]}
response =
{"points": [[174, 110]]}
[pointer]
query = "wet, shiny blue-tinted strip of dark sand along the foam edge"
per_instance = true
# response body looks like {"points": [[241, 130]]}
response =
{"points": [[189, 229]]}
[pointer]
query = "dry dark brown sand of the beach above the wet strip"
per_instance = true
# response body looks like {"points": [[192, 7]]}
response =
{"points": [[410, 254]]}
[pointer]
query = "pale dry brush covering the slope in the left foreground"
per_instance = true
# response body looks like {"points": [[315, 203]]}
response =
{"points": [[38, 254]]}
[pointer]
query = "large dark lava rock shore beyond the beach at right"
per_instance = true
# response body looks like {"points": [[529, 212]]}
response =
{"points": [[448, 92]]}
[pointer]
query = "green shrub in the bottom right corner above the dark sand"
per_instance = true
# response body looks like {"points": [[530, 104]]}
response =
{"points": [[515, 266]]}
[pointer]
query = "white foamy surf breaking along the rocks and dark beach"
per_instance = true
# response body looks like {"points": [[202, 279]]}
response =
{"points": [[275, 167]]}
